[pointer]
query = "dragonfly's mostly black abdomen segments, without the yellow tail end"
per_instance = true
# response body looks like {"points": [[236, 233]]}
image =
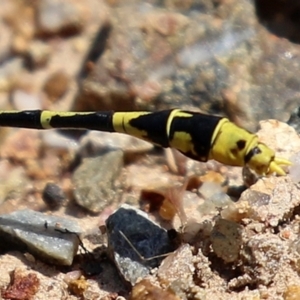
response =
{"points": [[189, 132]]}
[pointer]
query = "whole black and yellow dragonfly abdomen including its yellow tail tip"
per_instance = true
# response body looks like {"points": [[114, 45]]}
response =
{"points": [[199, 136]]}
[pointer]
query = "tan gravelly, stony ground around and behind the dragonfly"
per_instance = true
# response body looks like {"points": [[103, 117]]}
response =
{"points": [[231, 58]]}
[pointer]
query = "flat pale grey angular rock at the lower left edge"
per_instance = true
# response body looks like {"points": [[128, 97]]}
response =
{"points": [[37, 234]]}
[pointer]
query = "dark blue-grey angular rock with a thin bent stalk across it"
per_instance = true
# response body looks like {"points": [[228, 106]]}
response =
{"points": [[145, 236]]}
